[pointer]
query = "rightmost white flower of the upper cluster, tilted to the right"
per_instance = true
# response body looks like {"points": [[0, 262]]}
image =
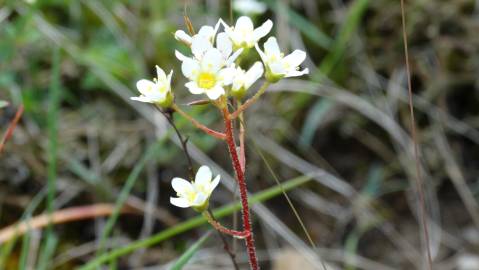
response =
{"points": [[279, 66]]}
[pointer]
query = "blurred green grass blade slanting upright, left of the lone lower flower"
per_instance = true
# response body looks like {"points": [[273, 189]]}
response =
{"points": [[125, 192]]}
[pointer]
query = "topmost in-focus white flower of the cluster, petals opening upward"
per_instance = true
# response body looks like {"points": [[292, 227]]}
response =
{"points": [[243, 33]]}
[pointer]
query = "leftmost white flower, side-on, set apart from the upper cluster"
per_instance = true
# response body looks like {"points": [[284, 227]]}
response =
{"points": [[157, 91]]}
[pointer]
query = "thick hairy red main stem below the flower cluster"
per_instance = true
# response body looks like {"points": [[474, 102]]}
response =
{"points": [[253, 260]]}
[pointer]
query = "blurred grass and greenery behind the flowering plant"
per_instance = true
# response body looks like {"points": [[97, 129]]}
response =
{"points": [[81, 141]]}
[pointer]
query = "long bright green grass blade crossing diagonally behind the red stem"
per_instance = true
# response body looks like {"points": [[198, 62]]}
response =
{"points": [[192, 223]]}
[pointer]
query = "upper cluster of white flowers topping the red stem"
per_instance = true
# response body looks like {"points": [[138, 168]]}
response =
{"points": [[213, 66]]}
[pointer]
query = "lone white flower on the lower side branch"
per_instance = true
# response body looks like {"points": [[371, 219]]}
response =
{"points": [[195, 194]]}
